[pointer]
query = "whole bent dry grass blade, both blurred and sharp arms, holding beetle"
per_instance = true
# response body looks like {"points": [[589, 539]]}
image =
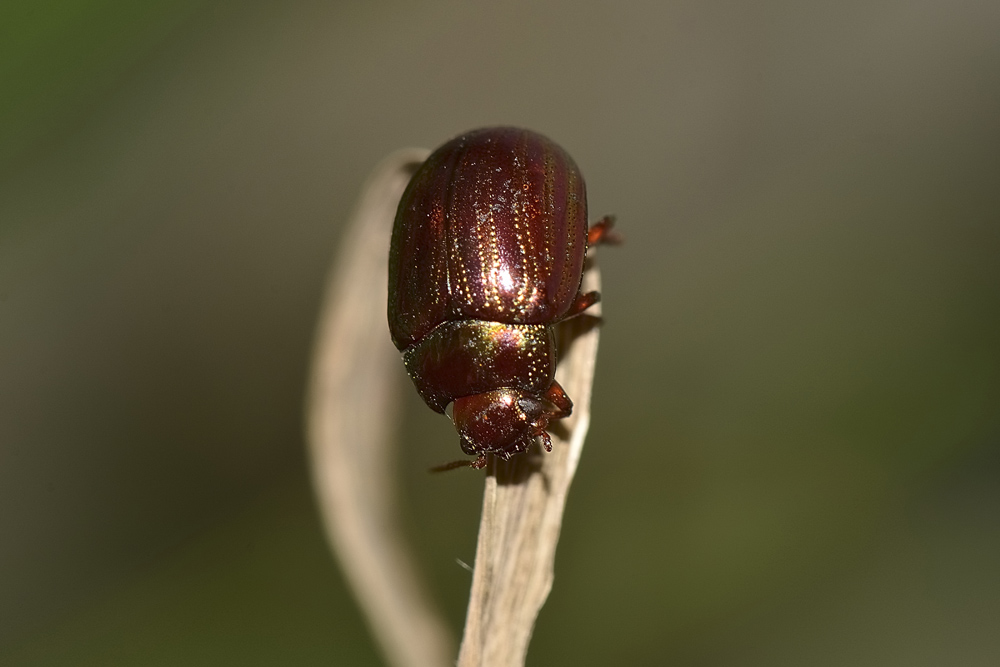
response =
{"points": [[350, 411]]}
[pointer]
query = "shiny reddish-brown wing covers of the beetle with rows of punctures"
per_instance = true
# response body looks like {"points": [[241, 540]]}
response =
{"points": [[492, 227]]}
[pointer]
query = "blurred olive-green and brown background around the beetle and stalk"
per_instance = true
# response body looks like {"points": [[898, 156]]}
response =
{"points": [[795, 449]]}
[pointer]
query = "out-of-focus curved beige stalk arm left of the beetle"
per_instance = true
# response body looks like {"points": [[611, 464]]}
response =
{"points": [[350, 417]]}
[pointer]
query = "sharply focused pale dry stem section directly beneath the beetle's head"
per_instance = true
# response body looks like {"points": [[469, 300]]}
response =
{"points": [[523, 507]]}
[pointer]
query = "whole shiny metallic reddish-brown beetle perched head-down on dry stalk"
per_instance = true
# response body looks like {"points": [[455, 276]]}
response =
{"points": [[487, 255]]}
